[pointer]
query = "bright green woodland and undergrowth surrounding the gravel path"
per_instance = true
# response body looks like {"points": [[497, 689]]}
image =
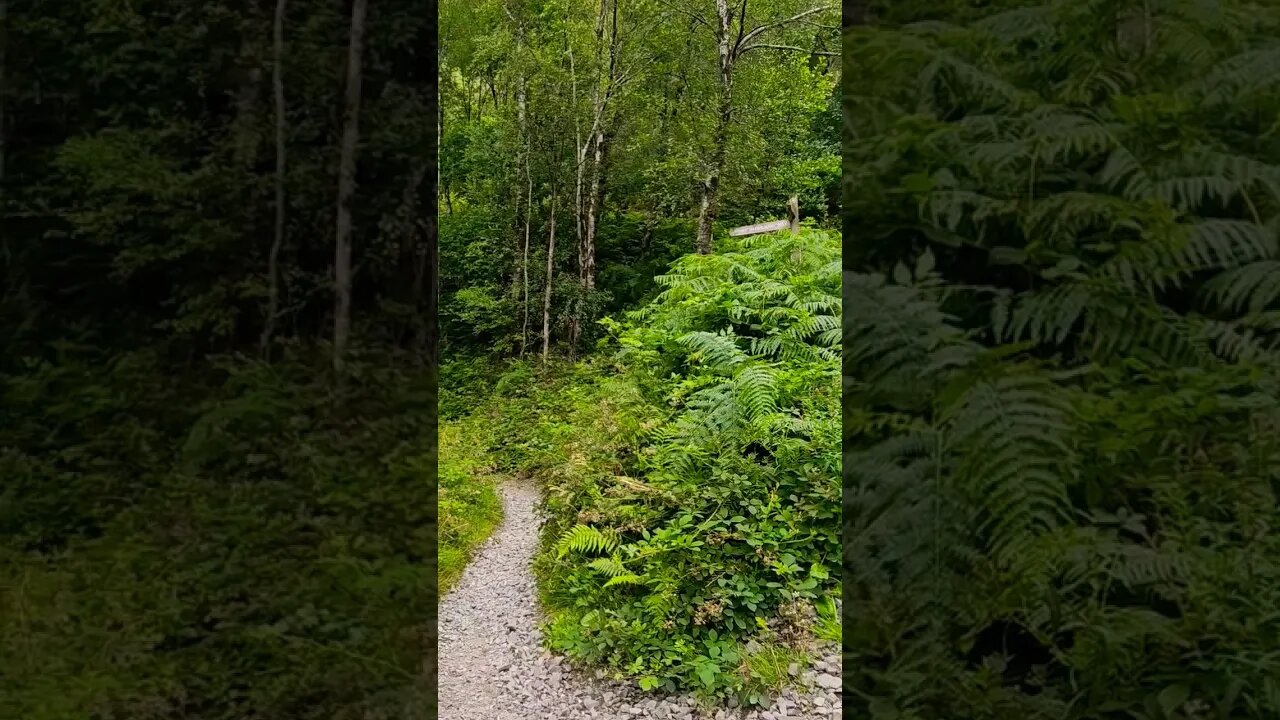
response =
{"points": [[671, 390]]}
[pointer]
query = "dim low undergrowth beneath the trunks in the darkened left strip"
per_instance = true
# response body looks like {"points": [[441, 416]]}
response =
{"points": [[225, 541]]}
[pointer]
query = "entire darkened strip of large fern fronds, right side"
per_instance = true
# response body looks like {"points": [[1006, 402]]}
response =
{"points": [[1060, 364]]}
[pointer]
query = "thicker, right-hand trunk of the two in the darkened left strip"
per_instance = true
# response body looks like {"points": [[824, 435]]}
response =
{"points": [[348, 189]]}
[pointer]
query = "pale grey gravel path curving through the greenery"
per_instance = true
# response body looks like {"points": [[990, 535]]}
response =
{"points": [[492, 666]]}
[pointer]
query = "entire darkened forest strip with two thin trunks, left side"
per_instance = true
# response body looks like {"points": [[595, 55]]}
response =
{"points": [[217, 394]]}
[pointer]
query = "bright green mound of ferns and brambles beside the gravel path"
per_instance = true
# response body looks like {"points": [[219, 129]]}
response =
{"points": [[707, 517]]}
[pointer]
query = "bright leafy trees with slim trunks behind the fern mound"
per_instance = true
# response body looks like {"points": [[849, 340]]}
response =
{"points": [[508, 165]]}
